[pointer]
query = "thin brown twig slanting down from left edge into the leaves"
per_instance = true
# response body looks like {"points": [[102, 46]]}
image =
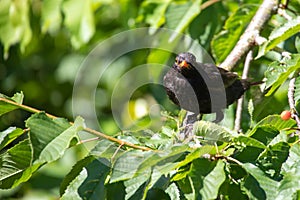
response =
{"points": [[89, 130]]}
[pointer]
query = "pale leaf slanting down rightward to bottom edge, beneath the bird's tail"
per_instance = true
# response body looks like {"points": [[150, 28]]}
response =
{"points": [[269, 186]]}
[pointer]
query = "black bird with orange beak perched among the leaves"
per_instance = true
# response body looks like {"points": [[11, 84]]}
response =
{"points": [[202, 88]]}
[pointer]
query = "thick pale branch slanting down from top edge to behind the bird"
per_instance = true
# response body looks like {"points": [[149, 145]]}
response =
{"points": [[247, 40]]}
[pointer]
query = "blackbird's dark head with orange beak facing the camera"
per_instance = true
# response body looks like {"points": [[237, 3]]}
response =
{"points": [[184, 62]]}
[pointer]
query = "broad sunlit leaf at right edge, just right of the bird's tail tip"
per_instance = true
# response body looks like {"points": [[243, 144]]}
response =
{"points": [[278, 72]]}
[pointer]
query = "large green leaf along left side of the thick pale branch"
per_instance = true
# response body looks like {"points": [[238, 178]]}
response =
{"points": [[223, 43]]}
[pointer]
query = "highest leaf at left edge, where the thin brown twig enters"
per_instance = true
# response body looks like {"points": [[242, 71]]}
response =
{"points": [[6, 107]]}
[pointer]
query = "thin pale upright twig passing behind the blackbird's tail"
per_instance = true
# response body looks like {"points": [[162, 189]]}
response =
{"points": [[239, 108]]}
